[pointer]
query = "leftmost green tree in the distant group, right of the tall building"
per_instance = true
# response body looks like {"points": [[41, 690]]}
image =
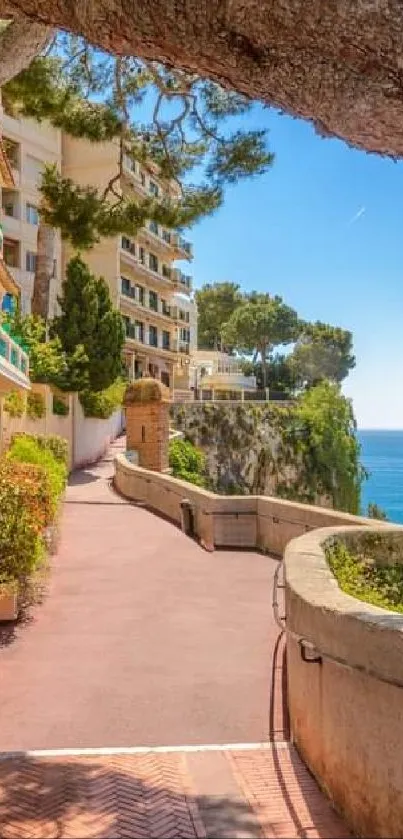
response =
{"points": [[215, 305]]}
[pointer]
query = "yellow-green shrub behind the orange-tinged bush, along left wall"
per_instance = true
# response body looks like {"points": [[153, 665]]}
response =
{"points": [[27, 450]]}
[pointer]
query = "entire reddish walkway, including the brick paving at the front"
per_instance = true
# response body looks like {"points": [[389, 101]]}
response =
{"points": [[145, 640]]}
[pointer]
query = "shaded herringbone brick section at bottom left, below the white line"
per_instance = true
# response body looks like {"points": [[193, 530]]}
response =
{"points": [[138, 797]]}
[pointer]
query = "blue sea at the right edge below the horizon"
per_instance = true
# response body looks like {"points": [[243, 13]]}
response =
{"points": [[382, 456]]}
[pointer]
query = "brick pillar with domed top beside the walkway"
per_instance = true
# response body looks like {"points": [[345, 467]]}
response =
{"points": [[147, 423]]}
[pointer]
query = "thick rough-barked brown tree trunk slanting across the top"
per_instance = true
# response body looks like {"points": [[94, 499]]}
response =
{"points": [[336, 63]]}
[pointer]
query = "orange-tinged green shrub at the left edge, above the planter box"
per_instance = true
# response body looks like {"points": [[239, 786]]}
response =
{"points": [[22, 519]]}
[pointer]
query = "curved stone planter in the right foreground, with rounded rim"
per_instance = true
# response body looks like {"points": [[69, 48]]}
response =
{"points": [[345, 698]]}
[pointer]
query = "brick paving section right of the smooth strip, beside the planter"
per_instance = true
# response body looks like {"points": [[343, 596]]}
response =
{"points": [[284, 796]]}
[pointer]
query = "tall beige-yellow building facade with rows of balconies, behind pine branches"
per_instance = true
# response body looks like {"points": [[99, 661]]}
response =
{"points": [[153, 295]]}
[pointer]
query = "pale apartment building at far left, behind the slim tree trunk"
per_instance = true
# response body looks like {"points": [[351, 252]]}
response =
{"points": [[28, 145]]}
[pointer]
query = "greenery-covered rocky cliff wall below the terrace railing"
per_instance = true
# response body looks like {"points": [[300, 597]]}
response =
{"points": [[307, 452]]}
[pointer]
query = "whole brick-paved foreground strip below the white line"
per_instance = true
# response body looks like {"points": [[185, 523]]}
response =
{"points": [[264, 792]]}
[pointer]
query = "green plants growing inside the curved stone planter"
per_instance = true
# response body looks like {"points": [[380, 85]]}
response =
{"points": [[359, 576]]}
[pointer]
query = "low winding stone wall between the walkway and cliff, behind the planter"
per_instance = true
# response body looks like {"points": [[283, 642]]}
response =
{"points": [[228, 521]]}
